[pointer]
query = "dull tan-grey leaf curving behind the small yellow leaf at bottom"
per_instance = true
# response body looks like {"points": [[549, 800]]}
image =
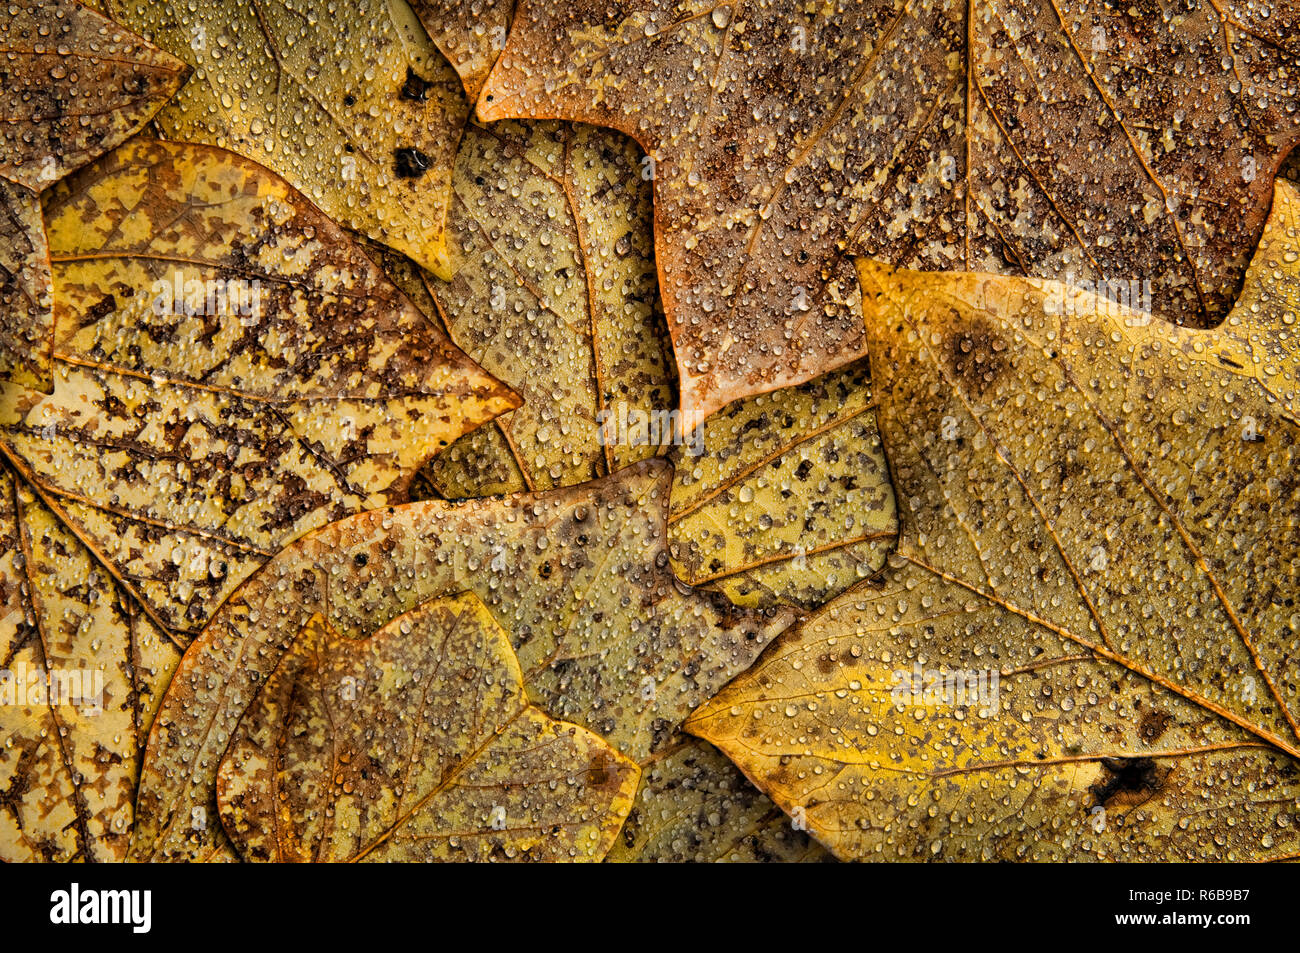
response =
{"points": [[579, 578]]}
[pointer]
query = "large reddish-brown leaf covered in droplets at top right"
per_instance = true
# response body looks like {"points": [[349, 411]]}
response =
{"points": [[1104, 142]]}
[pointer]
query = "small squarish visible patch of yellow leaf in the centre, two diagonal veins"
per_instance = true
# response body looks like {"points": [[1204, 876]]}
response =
{"points": [[790, 501]]}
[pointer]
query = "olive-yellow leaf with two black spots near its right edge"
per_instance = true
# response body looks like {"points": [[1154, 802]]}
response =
{"points": [[353, 105]]}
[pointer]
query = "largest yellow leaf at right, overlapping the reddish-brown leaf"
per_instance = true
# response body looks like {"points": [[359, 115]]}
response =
{"points": [[1086, 647]]}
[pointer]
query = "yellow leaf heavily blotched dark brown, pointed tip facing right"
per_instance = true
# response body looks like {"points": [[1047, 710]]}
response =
{"points": [[232, 372]]}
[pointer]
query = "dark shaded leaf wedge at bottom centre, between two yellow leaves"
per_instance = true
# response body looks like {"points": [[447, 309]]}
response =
{"points": [[695, 807]]}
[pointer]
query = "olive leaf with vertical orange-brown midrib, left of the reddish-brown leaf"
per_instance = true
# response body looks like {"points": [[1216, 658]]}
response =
{"points": [[556, 289]]}
